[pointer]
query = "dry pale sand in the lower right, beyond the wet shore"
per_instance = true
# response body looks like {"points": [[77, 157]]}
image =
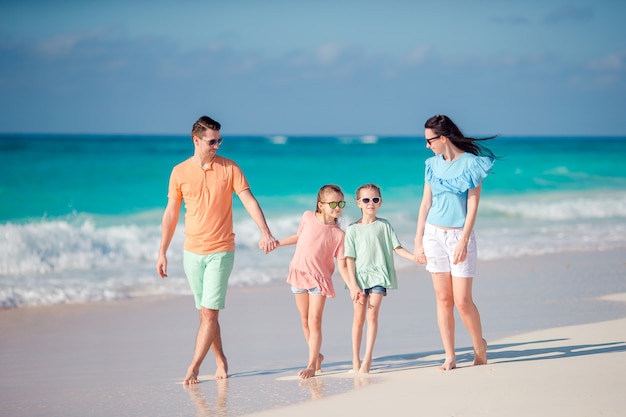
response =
{"points": [[567, 371]]}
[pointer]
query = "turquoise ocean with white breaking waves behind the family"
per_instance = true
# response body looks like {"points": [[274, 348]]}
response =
{"points": [[80, 214]]}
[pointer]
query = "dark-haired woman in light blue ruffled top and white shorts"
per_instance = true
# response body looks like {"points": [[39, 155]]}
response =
{"points": [[444, 238]]}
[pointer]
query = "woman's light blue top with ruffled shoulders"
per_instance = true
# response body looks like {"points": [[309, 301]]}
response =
{"points": [[449, 182]]}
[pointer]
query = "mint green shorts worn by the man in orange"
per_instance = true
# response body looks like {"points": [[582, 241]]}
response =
{"points": [[208, 277]]}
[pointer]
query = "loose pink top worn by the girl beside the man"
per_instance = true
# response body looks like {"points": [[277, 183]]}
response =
{"points": [[313, 262]]}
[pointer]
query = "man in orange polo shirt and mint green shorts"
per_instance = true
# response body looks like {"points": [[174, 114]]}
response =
{"points": [[206, 183]]}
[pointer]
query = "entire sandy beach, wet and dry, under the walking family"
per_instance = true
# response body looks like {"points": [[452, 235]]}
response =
{"points": [[556, 326]]}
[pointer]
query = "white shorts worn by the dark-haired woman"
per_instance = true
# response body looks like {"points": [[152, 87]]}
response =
{"points": [[439, 245]]}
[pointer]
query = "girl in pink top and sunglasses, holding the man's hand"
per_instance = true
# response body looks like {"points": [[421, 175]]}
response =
{"points": [[319, 242]]}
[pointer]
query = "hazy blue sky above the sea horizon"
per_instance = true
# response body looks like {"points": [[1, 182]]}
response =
{"points": [[533, 67]]}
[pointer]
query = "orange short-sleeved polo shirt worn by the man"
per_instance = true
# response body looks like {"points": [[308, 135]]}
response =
{"points": [[208, 198]]}
